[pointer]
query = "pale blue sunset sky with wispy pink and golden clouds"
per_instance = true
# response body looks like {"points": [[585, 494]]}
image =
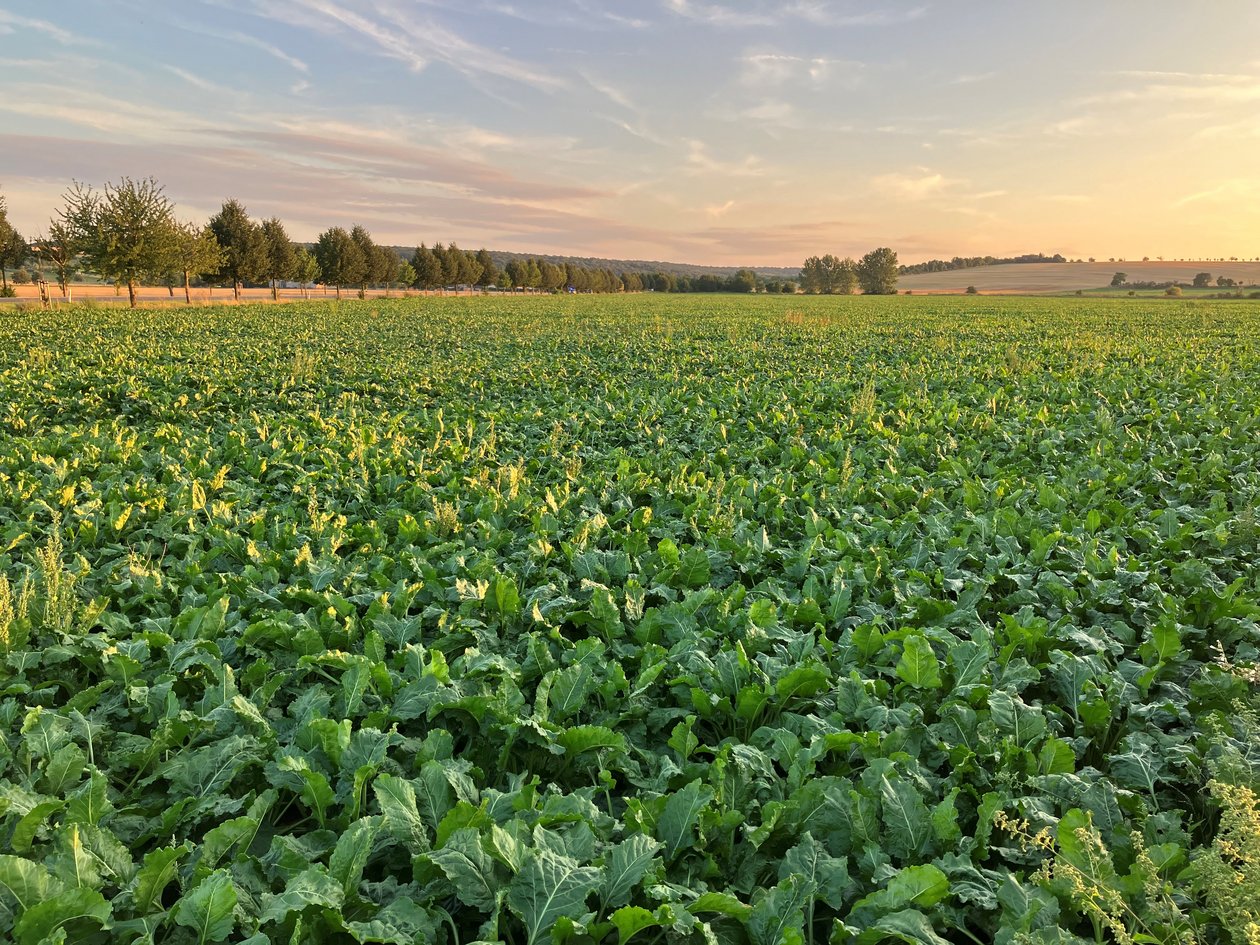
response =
{"points": [[704, 132]]}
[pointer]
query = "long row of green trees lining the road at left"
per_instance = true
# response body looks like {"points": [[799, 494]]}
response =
{"points": [[130, 235]]}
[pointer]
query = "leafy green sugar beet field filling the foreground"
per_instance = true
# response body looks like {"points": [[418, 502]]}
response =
{"points": [[647, 619]]}
